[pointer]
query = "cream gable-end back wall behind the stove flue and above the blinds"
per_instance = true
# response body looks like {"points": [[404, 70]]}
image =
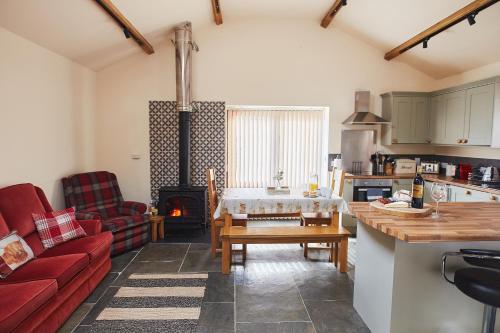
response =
{"points": [[257, 62]]}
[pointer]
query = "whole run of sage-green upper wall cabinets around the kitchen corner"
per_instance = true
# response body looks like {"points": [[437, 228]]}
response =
{"points": [[463, 115]]}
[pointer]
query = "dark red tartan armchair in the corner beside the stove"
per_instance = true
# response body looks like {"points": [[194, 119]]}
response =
{"points": [[96, 195]]}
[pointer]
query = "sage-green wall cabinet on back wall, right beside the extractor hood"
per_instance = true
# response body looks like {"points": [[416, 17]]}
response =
{"points": [[409, 115]]}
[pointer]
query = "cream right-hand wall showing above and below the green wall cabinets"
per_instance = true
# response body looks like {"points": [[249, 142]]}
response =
{"points": [[466, 77]]}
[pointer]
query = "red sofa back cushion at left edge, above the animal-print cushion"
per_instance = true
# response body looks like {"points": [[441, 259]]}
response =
{"points": [[17, 203]]}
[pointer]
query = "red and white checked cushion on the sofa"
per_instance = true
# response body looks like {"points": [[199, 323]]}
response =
{"points": [[57, 227]]}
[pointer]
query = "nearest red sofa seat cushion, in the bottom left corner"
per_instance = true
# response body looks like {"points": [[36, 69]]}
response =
{"points": [[19, 300]]}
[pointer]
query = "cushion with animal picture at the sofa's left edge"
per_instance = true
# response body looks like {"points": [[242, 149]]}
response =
{"points": [[14, 252]]}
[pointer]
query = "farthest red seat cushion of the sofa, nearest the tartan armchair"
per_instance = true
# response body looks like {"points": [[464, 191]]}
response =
{"points": [[94, 246]]}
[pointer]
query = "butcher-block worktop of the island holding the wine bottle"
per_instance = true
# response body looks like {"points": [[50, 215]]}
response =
{"points": [[459, 222]]}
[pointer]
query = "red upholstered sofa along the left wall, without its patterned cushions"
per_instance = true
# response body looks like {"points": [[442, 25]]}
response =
{"points": [[40, 295]]}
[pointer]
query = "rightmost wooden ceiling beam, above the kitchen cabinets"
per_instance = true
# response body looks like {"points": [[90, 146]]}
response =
{"points": [[462, 14]]}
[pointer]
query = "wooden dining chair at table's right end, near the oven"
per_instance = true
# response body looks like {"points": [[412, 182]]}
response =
{"points": [[326, 218]]}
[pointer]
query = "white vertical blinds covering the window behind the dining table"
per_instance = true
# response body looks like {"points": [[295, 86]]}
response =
{"points": [[261, 142]]}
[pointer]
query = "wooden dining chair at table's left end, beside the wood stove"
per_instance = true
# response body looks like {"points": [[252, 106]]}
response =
{"points": [[216, 224]]}
